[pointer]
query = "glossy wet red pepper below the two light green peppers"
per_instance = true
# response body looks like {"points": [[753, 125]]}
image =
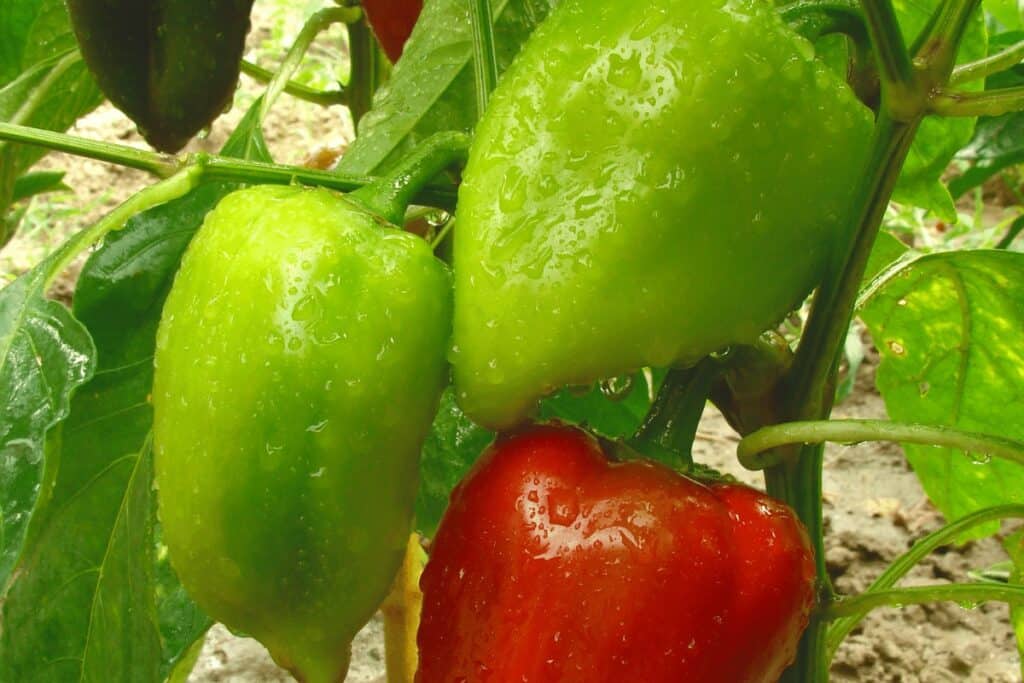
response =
{"points": [[553, 565]]}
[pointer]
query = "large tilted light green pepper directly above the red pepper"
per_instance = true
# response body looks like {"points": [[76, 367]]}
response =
{"points": [[652, 182]]}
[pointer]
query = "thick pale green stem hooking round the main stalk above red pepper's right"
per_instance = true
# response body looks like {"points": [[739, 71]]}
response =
{"points": [[755, 451]]}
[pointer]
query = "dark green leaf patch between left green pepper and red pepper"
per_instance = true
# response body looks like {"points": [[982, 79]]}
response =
{"points": [[453, 446]]}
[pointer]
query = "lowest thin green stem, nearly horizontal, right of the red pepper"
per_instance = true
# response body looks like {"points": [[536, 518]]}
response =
{"points": [[963, 593]]}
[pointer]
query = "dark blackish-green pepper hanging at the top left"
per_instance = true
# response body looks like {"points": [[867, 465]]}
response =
{"points": [[172, 66]]}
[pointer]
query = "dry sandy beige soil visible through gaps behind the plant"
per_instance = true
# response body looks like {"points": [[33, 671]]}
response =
{"points": [[875, 508]]}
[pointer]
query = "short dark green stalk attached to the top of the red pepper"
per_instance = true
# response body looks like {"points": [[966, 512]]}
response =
{"points": [[672, 422]]}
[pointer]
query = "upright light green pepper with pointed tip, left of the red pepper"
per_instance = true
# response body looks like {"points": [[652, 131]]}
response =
{"points": [[301, 361]]}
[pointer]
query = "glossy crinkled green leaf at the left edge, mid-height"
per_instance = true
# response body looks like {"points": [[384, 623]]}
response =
{"points": [[46, 355]]}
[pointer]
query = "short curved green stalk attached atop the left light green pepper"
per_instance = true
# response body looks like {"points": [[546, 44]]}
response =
{"points": [[392, 195]]}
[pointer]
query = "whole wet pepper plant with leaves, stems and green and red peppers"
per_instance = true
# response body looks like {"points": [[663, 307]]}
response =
{"points": [[267, 394]]}
